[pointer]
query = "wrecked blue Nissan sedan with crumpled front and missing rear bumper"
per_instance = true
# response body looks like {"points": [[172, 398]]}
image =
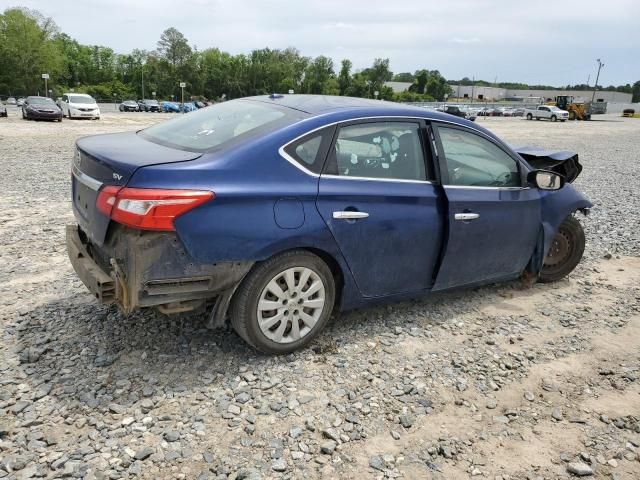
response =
{"points": [[275, 212]]}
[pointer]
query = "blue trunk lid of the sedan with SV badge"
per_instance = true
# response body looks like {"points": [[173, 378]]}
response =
{"points": [[111, 159]]}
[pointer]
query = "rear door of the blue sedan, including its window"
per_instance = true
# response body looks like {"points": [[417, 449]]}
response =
{"points": [[376, 197]]}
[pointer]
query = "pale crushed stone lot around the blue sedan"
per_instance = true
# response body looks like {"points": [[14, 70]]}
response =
{"points": [[499, 382]]}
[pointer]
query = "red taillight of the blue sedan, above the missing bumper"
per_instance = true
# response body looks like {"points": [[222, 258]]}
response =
{"points": [[148, 208]]}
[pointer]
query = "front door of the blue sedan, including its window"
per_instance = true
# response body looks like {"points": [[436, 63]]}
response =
{"points": [[493, 217]]}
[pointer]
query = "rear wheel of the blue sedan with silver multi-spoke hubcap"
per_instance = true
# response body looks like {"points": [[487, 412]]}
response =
{"points": [[284, 302]]}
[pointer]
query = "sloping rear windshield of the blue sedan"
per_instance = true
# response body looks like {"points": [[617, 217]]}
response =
{"points": [[219, 124]]}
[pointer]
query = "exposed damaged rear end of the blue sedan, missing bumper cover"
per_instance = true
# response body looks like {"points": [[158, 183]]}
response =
{"points": [[137, 269]]}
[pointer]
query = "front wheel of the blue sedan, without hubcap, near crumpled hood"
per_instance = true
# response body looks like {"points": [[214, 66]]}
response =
{"points": [[565, 252]]}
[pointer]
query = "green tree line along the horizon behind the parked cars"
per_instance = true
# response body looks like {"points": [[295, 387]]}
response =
{"points": [[31, 44]]}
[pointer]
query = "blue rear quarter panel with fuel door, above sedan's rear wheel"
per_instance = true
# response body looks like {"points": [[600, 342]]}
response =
{"points": [[251, 183]]}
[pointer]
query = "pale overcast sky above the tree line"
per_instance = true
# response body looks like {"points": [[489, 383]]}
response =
{"points": [[553, 42]]}
